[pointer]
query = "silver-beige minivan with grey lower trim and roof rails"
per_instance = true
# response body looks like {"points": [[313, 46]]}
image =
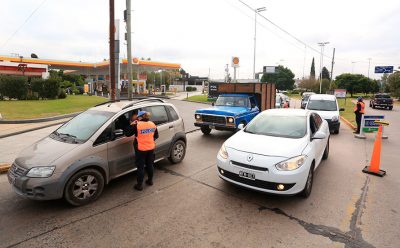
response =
{"points": [[77, 160]]}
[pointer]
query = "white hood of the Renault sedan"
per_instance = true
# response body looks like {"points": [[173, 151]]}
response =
{"points": [[267, 145]]}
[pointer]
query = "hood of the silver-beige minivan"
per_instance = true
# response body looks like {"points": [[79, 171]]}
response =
{"points": [[43, 153]]}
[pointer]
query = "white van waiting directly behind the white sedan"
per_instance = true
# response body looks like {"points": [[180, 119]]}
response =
{"points": [[327, 107]]}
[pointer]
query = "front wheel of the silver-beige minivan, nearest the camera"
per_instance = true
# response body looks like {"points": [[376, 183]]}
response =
{"points": [[84, 187]]}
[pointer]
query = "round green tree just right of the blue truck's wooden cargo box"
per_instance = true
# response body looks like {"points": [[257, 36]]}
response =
{"points": [[283, 78]]}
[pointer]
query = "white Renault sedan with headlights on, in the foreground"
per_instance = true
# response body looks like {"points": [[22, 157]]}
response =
{"points": [[277, 152]]}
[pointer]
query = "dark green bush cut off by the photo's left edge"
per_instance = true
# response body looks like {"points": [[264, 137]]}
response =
{"points": [[14, 87]]}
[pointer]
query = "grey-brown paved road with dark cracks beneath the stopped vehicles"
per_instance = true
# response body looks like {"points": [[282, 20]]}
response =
{"points": [[189, 206]]}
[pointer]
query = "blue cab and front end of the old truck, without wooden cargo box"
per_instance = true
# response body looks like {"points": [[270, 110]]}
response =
{"points": [[227, 113]]}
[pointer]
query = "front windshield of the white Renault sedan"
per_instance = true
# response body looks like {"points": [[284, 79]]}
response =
{"points": [[279, 126]]}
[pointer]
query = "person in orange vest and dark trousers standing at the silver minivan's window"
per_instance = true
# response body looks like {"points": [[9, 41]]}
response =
{"points": [[146, 133]]}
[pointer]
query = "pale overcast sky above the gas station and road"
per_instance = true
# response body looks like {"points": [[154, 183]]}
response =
{"points": [[204, 35]]}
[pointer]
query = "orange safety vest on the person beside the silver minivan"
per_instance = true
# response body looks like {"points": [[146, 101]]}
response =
{"points": [[145, 135]]}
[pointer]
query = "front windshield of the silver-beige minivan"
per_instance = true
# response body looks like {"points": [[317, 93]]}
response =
{"points": [[83, 126]]}
